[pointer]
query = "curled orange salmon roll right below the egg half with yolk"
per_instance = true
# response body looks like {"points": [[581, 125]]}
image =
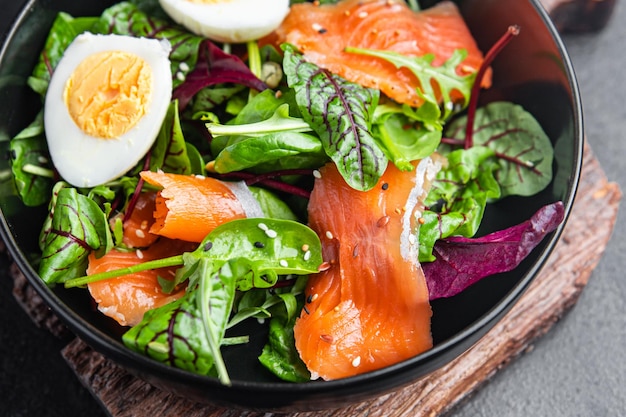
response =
{"points": [[189, 207]]}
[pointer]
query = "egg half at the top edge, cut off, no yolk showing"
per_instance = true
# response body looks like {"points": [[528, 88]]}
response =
{"points": [[229, 21]]}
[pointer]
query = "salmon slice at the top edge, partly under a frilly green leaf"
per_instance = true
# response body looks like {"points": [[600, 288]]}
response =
{"points": [[322, 32]]}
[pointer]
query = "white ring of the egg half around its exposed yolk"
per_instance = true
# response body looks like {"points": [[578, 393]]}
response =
{"points": [[84, 160]]}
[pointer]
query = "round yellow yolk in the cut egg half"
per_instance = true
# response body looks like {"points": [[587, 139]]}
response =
{"points": [[108, 93]]}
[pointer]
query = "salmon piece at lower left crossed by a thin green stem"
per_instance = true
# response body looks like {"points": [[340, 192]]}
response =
{"points": [[127, 298]]}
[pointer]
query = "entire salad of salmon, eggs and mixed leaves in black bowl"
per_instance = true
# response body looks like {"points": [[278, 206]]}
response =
{"points": [[308, 167]]}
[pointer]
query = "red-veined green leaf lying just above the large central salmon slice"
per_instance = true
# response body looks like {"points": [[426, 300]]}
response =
{"points": [[341, 113]]}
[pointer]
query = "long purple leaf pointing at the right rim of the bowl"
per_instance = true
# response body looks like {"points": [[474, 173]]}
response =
{"points": [[462, 261]]}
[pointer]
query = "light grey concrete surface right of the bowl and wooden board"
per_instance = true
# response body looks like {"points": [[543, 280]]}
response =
{"points": [[579, 368]]}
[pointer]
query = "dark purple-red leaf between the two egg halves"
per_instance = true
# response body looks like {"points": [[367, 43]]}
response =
{"points": [[215, 66]]}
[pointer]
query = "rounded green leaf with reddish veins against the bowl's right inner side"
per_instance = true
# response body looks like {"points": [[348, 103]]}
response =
{"points": [[522, 149]]}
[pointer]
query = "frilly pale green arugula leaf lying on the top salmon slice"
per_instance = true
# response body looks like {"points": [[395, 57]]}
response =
{"points": [[445, 77]]}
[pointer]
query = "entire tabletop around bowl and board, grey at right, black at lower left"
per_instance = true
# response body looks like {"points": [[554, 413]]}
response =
{"points": [[577, 369]]}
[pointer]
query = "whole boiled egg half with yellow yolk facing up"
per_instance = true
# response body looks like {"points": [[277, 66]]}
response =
{"points": [[105, 105]]}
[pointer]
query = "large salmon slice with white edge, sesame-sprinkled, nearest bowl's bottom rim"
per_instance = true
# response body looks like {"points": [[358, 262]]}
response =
{"points": [[370, 308]]}
